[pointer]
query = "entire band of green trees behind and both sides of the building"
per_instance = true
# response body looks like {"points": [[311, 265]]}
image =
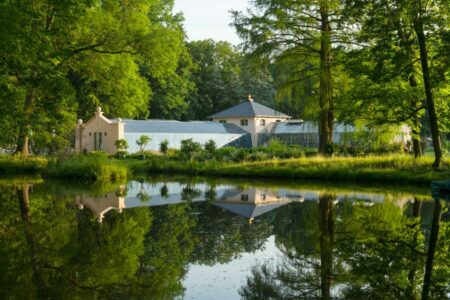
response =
{"points": [[376, 62]]}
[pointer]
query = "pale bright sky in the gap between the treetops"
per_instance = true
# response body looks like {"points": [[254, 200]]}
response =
{"points": [[206, 19]]}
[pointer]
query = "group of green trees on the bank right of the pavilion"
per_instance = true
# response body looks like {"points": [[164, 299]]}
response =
{"points": [[382, 61]]}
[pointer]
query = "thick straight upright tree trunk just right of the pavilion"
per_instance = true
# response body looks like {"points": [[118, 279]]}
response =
{"points": [[326, 115]]}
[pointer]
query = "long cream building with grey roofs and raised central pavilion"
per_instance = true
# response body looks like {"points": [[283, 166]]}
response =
{"points": [[247, 124]]}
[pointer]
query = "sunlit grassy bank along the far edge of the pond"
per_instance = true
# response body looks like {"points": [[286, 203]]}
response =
{"points": [[395, 169]]}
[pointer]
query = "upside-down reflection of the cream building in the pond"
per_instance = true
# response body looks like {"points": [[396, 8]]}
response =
{"points": [[248, 202]]}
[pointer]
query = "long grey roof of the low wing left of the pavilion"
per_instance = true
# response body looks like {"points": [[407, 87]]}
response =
{"points": [[171, 126]]}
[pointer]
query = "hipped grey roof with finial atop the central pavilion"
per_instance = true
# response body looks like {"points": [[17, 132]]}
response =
{"points": [[249, 109]]}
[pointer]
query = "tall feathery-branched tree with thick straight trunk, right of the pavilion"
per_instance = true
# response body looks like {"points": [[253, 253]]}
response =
{"points": [[304, 30]]}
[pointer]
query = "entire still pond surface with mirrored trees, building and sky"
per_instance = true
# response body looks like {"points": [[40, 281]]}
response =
{"points": [[180, 238]]}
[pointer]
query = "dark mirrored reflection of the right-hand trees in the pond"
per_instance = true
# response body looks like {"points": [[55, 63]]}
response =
{"points": [[364, 252]]}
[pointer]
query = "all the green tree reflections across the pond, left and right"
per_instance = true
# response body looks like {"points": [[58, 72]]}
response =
{"points": [[49, 248]]}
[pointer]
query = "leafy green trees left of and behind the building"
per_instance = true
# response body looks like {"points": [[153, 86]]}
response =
{"points": [[60, 60]]}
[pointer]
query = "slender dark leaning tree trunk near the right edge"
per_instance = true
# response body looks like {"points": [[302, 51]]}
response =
{"points": [[418, 28]]}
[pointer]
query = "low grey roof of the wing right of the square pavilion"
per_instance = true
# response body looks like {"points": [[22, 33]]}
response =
{"points": [[299, 126]]}
